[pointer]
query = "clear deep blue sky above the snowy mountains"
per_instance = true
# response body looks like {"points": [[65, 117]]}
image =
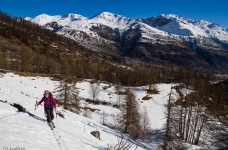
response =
{"points": [[214, 11]]}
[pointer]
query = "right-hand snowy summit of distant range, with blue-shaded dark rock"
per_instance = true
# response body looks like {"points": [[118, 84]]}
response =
{"points": [[187, 27]]}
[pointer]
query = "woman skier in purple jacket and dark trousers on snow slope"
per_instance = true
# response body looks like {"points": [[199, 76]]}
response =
{"points": [[49, 103]]}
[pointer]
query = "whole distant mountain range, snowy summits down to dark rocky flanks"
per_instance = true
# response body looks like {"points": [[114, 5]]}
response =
{"points": [[164, 38]]}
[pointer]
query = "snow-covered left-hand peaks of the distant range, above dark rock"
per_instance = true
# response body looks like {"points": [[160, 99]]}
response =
{"points": [[78, 22]]}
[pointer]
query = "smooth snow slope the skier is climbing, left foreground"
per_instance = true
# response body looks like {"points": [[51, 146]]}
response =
{"points": [[29, 130]]}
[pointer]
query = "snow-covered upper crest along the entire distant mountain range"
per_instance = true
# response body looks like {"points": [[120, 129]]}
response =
{"points": [[177, 25]]}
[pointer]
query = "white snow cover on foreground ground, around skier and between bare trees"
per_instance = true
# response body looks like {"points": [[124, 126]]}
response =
{"points": [[30, 129]]}
